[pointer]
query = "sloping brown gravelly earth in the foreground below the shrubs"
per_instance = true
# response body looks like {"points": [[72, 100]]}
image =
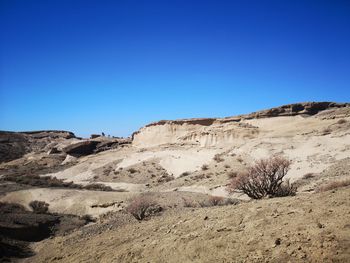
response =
{"points": [[305, 228]]}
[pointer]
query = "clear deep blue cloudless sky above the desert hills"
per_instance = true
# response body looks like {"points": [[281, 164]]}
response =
{"points": [[114, 66]]}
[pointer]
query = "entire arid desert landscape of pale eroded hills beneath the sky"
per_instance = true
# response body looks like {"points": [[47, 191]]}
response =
{"points": [[173, 191]]}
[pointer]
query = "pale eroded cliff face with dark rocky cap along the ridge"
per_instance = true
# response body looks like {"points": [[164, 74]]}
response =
{"points": [[220, 131]]}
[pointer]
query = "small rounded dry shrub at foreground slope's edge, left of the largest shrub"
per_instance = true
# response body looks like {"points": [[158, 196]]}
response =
{"points": [[142, 207]]}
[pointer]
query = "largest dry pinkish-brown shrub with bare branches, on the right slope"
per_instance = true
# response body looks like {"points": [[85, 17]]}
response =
{"points": [[264, 178]]}
